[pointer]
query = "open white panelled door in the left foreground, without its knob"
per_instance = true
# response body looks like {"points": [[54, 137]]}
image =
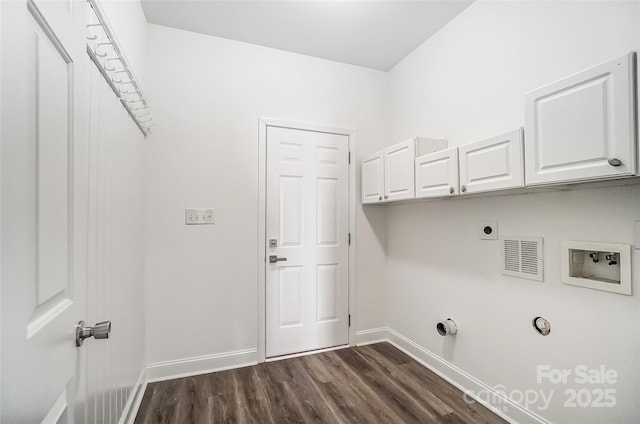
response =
{"points": [[44, 210]]}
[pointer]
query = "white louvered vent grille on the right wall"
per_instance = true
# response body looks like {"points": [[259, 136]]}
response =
{"points": [[522, 257]]}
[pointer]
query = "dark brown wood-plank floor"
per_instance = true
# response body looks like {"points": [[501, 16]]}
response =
{"points": [[368, 384]]}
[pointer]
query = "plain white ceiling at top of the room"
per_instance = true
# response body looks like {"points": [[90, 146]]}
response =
{"points": [[373, 34]]}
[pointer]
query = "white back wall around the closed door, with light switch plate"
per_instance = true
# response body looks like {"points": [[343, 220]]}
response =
{"points": [[207, 95]]}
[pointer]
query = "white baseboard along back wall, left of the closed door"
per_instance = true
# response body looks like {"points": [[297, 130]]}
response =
{"points": [[186, 367]]}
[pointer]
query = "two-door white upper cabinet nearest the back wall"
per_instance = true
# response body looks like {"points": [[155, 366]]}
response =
{"points": [[388, 175]]}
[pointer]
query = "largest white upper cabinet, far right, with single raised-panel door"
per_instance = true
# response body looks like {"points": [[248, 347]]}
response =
{"points": [[583, 127]]}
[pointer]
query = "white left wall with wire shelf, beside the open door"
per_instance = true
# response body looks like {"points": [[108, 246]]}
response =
{"points": [[116, 220]]}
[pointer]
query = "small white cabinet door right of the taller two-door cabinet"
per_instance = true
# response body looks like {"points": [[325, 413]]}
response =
{"points": [[437, 174]]}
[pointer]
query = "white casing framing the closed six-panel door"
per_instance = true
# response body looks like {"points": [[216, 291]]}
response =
{"points": [[264, 124]]}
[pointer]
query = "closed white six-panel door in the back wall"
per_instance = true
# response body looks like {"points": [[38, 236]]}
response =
{"points": [[307, 220]]}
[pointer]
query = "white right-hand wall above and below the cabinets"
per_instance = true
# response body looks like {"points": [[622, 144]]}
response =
{"points": [[467, 83]]}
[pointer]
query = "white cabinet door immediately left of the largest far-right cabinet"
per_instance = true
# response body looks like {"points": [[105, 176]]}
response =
{"points": [[492, 164]]}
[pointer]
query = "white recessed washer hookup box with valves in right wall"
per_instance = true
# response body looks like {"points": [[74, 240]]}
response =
{"points": [[600, 266]]}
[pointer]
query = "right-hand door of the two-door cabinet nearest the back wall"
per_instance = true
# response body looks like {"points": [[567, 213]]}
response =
{"points": [[399, 173]]}
